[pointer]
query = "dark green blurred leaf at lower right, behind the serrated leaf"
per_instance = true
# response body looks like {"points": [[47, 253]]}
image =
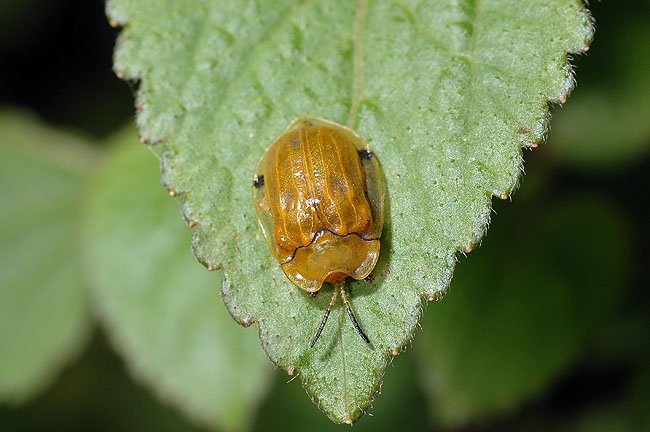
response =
{"points": [[521, 310]]}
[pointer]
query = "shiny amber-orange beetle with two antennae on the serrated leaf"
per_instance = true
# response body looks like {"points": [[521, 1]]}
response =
{"points": [[319, 198]]}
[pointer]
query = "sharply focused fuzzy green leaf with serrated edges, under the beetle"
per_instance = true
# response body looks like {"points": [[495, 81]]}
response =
{"points": [[447, 94]]}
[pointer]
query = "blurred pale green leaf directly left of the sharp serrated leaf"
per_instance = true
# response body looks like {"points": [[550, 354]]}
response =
{"points": [[161, 309]]}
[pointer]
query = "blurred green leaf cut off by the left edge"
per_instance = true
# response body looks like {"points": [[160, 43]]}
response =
{"points": [[43, 306]]}
